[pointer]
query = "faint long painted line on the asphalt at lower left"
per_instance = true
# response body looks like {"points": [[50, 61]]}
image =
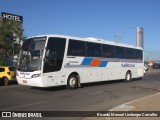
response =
{"points": [[26, 105]]}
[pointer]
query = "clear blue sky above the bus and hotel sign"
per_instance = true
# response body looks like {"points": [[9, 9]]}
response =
{"points": [[91, 18]]}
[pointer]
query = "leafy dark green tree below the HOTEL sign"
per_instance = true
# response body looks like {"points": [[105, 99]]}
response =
{"points": [[10, 31]]}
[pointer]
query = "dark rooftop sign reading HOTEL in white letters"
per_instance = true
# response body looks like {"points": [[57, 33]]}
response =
{"points": [[8, 16]]}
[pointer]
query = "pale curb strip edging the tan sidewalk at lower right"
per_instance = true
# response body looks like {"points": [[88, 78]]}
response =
{"points": [[126, 107]]}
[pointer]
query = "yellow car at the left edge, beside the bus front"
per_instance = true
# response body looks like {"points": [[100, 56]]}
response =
{"points": [[7, 74]]}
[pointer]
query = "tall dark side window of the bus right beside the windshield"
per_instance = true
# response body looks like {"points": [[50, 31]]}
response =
{"points": [[54, 54]]}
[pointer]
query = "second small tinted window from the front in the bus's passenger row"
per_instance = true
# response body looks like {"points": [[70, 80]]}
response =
{"points": [[93, 49]]}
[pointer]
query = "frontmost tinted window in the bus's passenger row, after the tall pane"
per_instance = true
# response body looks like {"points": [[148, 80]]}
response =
{"points": [[76, 48]]}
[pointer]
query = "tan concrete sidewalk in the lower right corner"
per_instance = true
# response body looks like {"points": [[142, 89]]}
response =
{"points": [[148, 103]]}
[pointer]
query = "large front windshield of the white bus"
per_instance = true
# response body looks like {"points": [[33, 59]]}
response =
{"points": [[31, 54]]}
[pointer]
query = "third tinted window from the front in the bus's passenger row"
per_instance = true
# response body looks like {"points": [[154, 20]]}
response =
{"points": [[107, 51]]}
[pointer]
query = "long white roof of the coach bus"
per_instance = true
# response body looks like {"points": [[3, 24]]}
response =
{"points": [[90, 39]]}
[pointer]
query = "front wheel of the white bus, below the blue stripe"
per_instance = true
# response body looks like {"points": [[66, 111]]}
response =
{"points": [[72, 82]]}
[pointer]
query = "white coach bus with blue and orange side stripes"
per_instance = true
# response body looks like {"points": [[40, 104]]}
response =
{"points": [[53, 60]]}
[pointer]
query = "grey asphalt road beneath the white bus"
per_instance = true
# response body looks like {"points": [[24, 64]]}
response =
{"points": [[91, 97]]}
